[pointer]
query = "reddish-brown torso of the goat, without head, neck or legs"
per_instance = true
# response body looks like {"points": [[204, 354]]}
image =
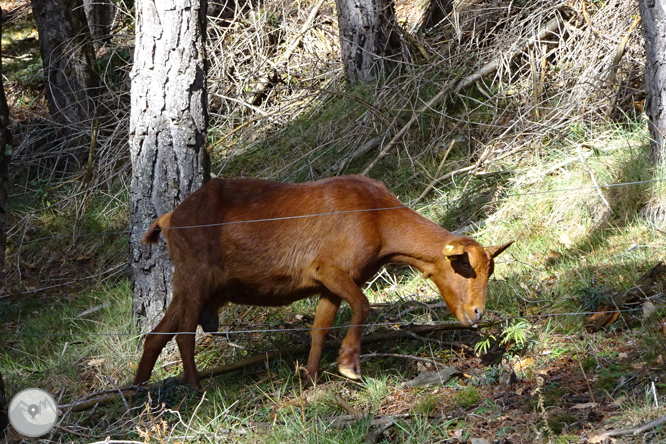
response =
{"points": [[269, 233]]}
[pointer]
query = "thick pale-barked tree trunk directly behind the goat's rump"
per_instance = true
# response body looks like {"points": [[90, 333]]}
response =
{"points": [[168, 123]]}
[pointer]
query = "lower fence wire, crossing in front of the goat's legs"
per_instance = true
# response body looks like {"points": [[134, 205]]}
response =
{"points": [[309, 329]]}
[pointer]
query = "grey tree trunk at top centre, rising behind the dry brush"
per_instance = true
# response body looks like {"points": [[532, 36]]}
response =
{"points": [[365, 31]]}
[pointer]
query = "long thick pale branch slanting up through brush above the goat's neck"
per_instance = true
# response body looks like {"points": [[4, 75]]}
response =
{"points": [[454, 86]]}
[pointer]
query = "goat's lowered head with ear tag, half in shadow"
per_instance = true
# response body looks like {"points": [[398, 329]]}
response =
{"points": [[461, 275]]}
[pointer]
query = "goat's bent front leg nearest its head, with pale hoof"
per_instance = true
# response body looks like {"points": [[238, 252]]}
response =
{"points": [[341, 284]]}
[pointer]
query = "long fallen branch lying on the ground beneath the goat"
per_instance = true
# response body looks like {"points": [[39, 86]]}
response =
{"points": [[270, 356]]}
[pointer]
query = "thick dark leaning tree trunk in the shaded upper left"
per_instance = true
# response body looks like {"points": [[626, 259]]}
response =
{"points": [[68, 57]]}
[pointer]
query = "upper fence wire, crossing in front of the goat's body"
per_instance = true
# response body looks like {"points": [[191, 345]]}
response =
{"points": [[333, 213]]}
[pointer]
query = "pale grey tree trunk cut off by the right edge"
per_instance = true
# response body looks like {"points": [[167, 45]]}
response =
{"points": [[653, 15]]}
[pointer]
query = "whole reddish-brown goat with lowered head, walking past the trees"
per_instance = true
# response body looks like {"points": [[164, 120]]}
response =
{"points": [[256, 242]]}
